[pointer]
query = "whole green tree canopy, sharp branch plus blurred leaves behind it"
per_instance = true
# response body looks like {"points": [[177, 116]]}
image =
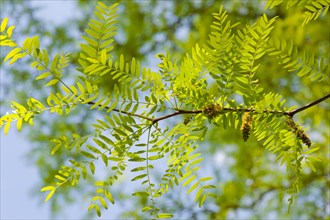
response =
{"points": [[223, 116]]}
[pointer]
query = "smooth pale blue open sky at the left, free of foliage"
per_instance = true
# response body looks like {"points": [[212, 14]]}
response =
{"points": [[18, 178]]}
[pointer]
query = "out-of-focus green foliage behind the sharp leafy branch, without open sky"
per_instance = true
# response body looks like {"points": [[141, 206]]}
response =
{"points": [[252, 184]]}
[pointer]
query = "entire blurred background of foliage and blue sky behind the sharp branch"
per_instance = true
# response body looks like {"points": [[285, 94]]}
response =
{"points": [[251, 184]]}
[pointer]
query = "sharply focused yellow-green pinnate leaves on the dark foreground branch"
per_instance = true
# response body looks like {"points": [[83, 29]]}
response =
{"points": [[130, 131]]}
